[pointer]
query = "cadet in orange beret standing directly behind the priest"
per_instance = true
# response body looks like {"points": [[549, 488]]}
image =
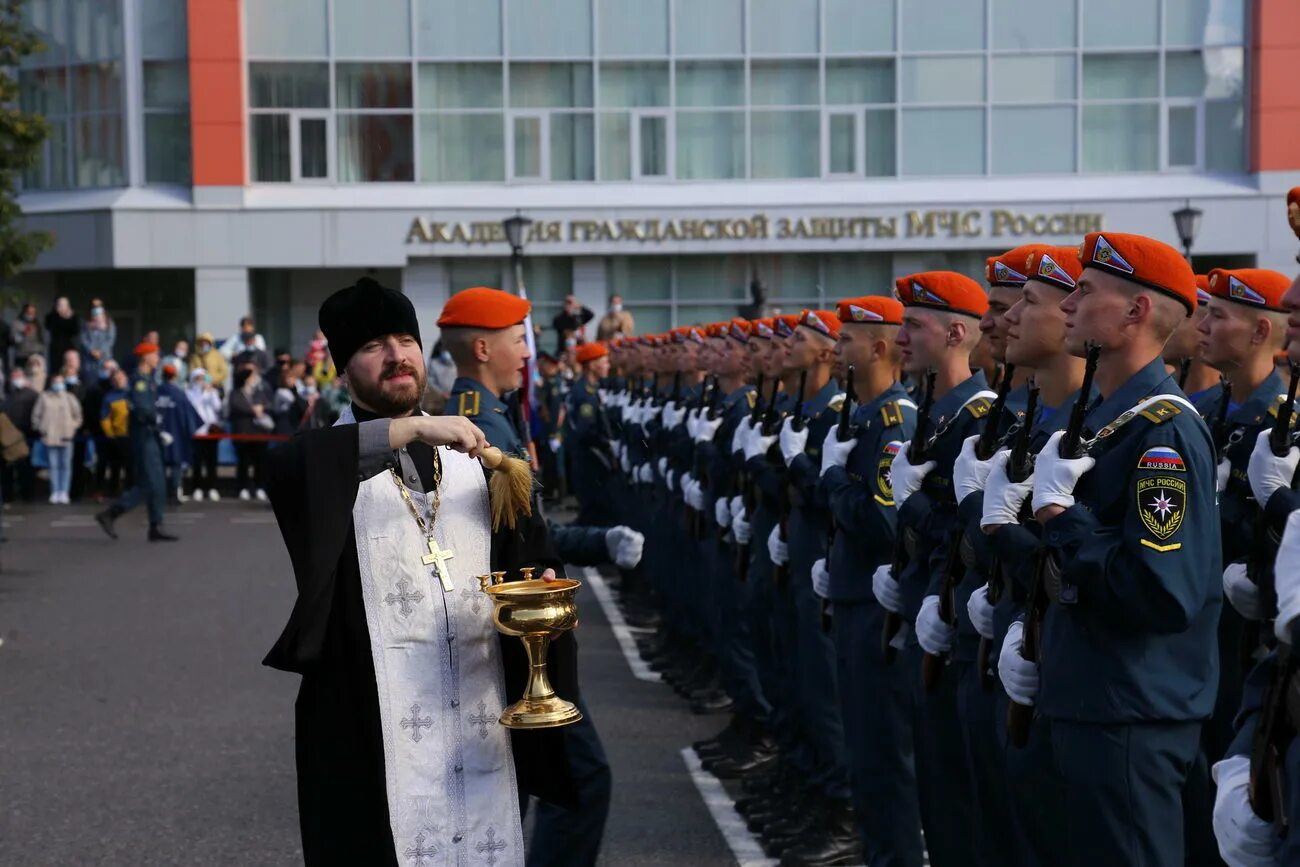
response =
{"points": [[484, 331]]}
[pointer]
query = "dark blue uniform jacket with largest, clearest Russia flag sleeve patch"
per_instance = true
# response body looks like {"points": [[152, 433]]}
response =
{"points": [[1142, 548]]}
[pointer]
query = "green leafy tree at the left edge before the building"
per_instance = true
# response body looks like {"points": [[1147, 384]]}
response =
{"points": [[21, 136]]}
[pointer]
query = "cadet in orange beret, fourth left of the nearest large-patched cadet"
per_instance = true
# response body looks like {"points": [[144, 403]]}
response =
{"points": [[855, 484]]}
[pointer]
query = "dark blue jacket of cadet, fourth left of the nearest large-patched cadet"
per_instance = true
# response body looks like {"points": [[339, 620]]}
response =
{"points": [[861, 497]]}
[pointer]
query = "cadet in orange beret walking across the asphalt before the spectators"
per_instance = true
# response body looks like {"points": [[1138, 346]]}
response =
{"points": [[148, 443]]}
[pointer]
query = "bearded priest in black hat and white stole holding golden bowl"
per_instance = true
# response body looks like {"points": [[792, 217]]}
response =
{"points": [[387, 519]]}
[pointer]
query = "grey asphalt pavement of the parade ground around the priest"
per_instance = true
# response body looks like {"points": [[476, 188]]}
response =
{"points": [[138, 726]]}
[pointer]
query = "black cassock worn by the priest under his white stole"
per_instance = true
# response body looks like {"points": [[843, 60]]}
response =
{"points": [[343, 800]]}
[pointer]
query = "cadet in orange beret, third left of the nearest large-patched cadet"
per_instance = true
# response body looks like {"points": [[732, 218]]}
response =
{"points": [[938, 333]]}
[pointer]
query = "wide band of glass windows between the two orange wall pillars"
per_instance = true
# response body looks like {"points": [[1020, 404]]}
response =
{"points": [[674, 90]]}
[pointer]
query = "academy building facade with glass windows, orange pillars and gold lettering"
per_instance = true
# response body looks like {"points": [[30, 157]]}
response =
{"points": [[215, 158]]}
